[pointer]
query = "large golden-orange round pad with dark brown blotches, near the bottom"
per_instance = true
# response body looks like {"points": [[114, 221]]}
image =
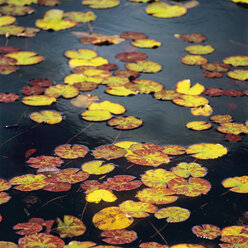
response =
{"points": [[111, 218]]}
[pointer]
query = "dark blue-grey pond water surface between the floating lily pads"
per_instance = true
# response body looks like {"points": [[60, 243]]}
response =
{"points": [[225, 25]]}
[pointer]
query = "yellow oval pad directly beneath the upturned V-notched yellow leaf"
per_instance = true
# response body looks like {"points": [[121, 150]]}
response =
{"points": [[190, 100]]}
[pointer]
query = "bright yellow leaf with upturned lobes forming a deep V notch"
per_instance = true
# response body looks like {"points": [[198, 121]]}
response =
{"points": [[184, 87]]}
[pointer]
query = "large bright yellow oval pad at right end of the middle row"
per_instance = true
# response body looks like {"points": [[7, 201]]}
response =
{"points": [[206, 151]]}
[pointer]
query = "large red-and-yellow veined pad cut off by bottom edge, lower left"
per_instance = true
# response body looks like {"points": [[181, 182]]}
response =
{"points": [[41, 240]]}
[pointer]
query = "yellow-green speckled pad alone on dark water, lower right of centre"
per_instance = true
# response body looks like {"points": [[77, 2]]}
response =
{"points": [[173, 214]]}
